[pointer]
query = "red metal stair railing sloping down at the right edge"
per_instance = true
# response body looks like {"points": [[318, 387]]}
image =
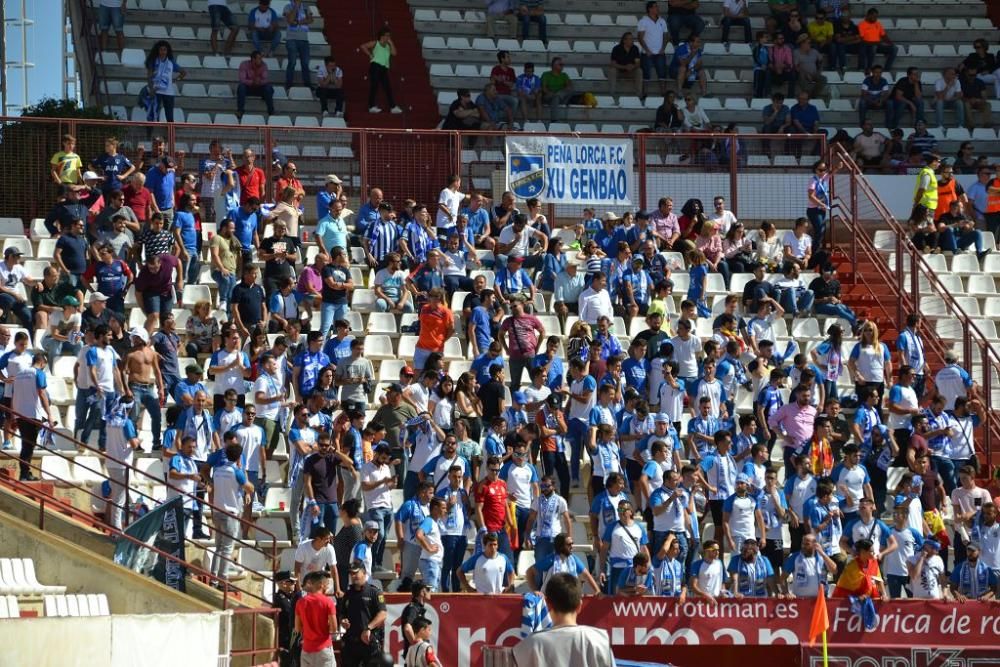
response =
{"points": [[904, 278]]}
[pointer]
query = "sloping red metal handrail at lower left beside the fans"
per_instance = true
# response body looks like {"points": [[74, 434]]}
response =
{"points": [[132, 470]]}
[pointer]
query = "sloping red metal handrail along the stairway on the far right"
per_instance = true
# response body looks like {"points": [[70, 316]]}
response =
{"points": [[920, 267]]}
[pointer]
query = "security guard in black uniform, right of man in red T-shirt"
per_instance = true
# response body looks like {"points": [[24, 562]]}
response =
{"points": [[362, 613]]}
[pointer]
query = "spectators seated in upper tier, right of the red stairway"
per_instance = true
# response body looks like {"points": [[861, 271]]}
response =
{"points": [[789, 58]]}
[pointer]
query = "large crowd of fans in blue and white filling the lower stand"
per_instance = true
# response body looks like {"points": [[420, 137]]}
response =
{"points": [[680, 417]]}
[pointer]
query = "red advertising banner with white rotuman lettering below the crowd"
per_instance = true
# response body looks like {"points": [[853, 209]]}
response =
{"points": [[463, 624]]}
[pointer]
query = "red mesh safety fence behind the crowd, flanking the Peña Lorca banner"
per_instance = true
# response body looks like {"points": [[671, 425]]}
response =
{"points": [[406, 164]]}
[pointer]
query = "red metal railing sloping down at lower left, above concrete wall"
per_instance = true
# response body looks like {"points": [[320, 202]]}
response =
{"points": [[131, 475]]}
